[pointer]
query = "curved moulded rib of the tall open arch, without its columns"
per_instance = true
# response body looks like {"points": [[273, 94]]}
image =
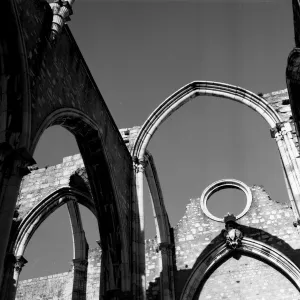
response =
{"points": [[191, 91]]}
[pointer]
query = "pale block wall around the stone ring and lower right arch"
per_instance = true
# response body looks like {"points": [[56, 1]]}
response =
{"points": [[267, 220]]}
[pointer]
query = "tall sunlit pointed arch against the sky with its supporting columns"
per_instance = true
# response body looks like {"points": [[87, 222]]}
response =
{"points": [[281, 132]]}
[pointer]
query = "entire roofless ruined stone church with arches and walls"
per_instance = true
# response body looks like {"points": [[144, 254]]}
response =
{"points": [[45, 81]]}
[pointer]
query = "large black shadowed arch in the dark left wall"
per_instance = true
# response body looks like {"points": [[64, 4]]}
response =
{"points": [[113, 236]]}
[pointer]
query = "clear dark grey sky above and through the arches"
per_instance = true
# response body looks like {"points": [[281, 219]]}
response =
{"points": [[139, 54]]}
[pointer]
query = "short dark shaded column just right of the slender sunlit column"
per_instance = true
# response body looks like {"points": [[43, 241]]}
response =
{"points": [[167, 276]]}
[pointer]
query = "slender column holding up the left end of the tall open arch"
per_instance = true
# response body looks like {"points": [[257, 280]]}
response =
{"points": [[138, 239]]}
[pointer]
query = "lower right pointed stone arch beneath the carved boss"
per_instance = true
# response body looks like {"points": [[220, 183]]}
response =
{"points": [[250, 247]]}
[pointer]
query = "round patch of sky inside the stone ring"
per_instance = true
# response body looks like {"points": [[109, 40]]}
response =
{"points": [[227, 200]]}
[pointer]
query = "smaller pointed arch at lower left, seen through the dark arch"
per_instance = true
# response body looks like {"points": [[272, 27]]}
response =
{"points": [[38, 214]]}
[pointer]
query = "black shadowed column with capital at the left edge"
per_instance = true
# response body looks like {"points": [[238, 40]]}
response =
{"points": [[13, 166]]}
